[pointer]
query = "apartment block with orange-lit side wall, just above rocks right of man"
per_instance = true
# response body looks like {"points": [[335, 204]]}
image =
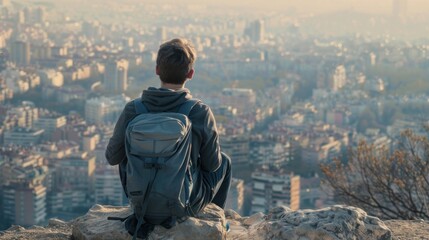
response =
{"points": [[272, 188]]}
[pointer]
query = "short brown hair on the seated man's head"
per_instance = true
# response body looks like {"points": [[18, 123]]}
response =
{"points": [[175, 59]]}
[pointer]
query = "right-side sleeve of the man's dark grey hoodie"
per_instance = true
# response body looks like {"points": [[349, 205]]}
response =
{"points": [[210, 153]]}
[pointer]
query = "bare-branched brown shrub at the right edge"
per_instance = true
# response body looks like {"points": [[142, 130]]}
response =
{"points": [[390, 185]]}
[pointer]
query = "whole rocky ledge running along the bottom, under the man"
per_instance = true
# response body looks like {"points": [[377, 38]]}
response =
{"points": [[336, 222]]}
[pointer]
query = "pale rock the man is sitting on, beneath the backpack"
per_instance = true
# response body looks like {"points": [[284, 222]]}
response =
{"points": [[210, 224]]}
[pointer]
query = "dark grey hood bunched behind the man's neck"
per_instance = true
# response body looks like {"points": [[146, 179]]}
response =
{"points": [[163, 99]]}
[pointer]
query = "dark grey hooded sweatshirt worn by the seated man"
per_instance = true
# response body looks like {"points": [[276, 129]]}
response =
{"points": [[205, 153]]}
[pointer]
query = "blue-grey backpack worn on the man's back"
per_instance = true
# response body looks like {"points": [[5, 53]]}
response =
{"points": [[158, 178]]}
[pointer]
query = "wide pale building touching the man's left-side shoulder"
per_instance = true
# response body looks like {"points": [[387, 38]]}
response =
{"points": [[104, 109]]}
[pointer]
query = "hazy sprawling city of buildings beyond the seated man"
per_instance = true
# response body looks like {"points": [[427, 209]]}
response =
{"points": [[290, 90]]}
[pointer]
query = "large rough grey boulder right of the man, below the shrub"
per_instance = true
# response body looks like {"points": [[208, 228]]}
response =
{"points": [[332, 223]]}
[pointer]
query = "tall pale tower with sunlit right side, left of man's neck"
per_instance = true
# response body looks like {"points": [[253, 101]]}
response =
{"points": [[116, 76]]}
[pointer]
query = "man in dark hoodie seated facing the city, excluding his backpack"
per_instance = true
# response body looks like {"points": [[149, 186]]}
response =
{"points": [[210, 169]]}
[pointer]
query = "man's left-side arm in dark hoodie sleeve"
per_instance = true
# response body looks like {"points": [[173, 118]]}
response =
{"points": [[115, 151]]}
